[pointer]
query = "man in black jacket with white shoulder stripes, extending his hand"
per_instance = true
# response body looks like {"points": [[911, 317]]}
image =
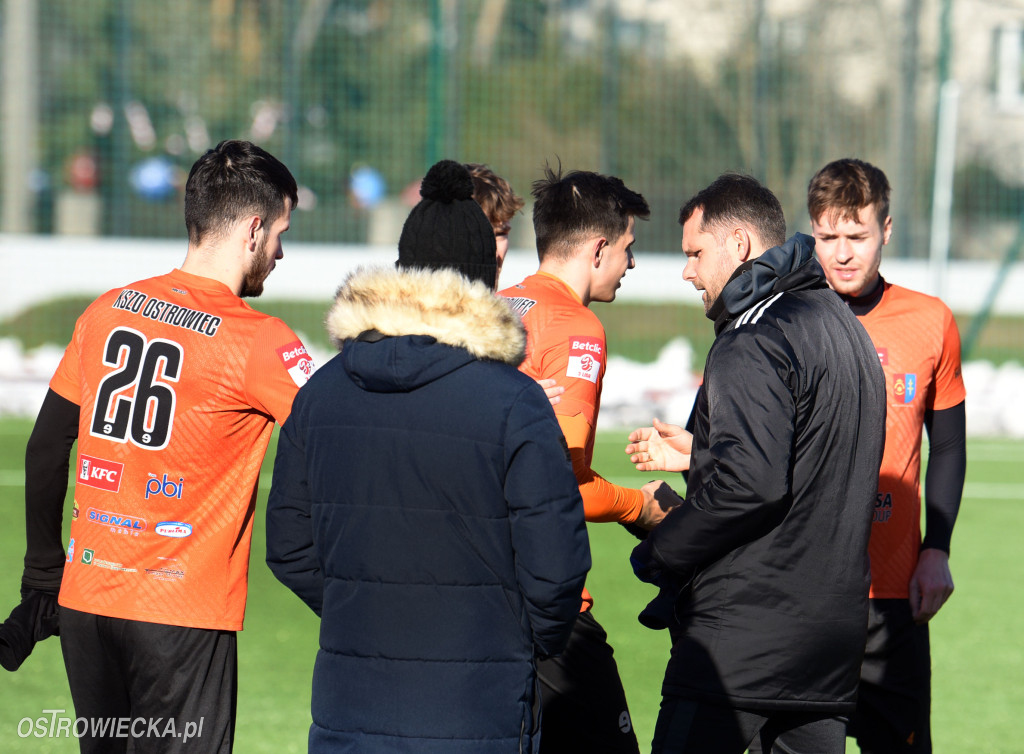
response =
{"points": [[763, 568]]}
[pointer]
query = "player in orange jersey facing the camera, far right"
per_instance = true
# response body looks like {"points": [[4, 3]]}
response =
{"points": [[919, 346]]}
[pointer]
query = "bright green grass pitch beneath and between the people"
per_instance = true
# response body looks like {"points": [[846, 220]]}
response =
{"points": [[978, 653]]}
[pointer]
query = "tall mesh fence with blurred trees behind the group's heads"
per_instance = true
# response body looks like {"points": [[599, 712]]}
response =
{"points": [[108, 103]]}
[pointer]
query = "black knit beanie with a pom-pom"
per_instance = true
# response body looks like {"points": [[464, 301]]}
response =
{"points": [[448, 229]]}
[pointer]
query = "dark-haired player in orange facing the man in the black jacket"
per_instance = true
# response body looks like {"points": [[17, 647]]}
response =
{"points": [[585, 233]]}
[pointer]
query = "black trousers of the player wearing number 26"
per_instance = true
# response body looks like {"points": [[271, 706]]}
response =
{"points": [[150, 689]]}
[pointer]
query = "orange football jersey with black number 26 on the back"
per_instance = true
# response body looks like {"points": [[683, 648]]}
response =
{"points": [[180, 384]]}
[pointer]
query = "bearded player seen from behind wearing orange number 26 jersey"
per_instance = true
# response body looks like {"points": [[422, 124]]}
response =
{"points": [[172, 388]]}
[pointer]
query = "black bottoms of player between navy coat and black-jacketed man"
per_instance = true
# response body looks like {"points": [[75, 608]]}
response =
{"points": [[583, 703]]}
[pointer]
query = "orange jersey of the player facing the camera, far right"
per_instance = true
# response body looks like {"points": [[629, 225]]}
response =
{"points": [[920, 350]]}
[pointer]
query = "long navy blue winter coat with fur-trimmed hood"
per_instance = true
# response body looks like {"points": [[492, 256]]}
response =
{"points": [[423, 505]]}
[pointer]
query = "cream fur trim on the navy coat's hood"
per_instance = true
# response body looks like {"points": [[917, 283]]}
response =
{"points": [[439, 304]]}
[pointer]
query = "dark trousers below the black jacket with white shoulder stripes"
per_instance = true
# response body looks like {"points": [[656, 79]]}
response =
{"points": [[687, 727]]}
